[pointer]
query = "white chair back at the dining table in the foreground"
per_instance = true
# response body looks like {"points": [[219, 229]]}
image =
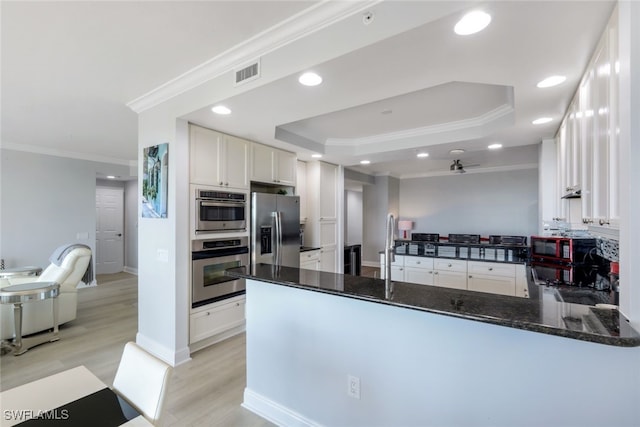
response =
{"points": [[142, 380]]}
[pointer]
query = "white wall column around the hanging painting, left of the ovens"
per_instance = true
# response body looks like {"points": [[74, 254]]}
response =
{"points": [[163, 244]]}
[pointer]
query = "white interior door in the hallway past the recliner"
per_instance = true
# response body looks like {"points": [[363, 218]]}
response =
{"points": [[109, 230]]}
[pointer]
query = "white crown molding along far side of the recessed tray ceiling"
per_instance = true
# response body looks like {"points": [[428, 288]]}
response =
{"points": [[456, 126]]}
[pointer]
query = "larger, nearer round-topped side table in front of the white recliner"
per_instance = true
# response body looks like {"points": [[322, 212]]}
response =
{"points": [[28, 292]]}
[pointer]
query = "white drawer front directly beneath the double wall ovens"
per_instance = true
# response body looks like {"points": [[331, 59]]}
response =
{"points": [[218, 319]]}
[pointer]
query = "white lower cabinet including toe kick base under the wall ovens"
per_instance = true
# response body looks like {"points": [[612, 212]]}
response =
{"points": [[217, 319]]}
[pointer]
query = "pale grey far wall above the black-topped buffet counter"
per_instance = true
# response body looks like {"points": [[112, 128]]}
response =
{"points": [[475, 203]]}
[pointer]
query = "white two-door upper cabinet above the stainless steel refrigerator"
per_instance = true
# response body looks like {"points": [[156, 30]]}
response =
{"points": [[271, 165]]}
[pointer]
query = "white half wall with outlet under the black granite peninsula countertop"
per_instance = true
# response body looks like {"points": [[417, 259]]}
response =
{"points": [[422, 369]]}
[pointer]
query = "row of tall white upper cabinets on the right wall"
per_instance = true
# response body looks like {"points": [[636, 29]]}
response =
{"points": [[587, 140]]}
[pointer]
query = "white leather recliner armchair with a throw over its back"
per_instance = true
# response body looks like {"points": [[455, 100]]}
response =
{"points": [[37, 316]]}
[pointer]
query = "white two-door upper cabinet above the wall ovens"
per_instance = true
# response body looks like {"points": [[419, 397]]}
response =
{"points": [[217, 159]]}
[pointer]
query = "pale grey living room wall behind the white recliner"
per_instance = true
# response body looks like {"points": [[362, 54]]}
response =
{"points": [[46, 201]]}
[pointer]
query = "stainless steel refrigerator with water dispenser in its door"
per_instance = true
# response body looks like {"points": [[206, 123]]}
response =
{"points": [[275, 230]]}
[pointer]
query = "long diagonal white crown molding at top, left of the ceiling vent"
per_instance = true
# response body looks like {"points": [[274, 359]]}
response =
{"points": [[300, 25]]}
